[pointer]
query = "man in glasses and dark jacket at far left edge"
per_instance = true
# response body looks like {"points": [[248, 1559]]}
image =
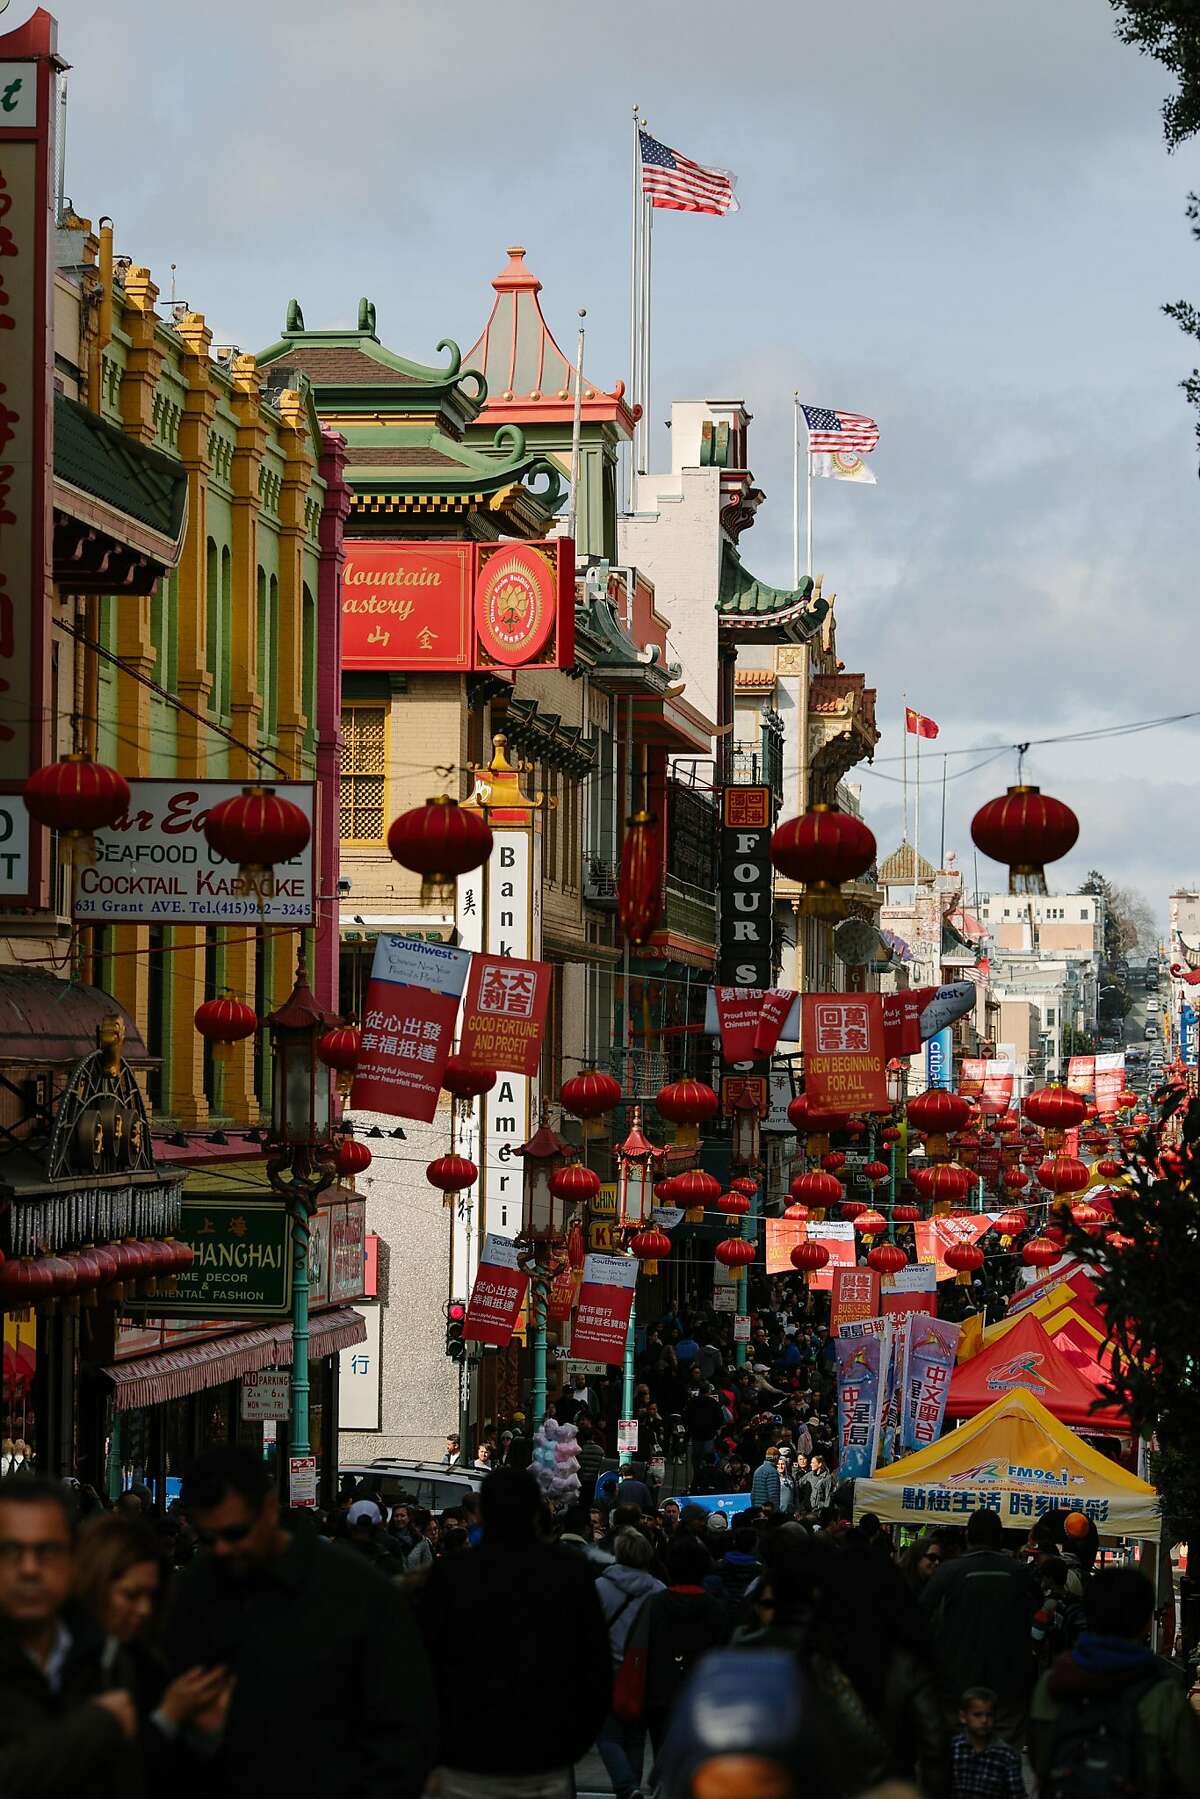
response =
{"points": [[62, 1730]]}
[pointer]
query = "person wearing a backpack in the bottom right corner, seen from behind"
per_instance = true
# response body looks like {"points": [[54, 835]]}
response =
{"points": [[1109, 1719]]}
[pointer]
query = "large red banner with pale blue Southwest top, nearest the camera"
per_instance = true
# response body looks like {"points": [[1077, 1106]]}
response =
{"points": [[407, 1035]]}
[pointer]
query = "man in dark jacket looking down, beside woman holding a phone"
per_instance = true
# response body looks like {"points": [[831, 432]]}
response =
{"points": [[334, 1690]]}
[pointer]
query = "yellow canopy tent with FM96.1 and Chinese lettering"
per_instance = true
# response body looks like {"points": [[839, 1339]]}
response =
{"points": [[1019, 1462]]}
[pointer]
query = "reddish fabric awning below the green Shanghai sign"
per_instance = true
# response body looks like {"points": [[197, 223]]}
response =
{"points": [[192, 1368]]}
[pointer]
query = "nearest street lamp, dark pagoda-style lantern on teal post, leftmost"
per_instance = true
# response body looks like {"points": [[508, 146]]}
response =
{"points": [[300, 1163]]}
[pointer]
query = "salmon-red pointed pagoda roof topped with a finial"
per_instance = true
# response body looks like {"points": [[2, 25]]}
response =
{"points": [[530, 380]]}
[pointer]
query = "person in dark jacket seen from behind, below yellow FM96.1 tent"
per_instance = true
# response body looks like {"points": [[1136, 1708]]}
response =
{"points": [[980, 1609]]}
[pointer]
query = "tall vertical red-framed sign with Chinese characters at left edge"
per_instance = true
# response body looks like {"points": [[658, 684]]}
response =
{"points": [[28, 66]]}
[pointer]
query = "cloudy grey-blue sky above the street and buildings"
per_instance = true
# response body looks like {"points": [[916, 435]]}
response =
{"points": [[956, 219]]}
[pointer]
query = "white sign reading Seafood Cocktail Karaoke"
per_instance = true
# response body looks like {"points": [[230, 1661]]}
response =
{"points": [[156, 868]]}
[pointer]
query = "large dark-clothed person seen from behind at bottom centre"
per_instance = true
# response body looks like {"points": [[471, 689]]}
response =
{"points": [[528, 1615]]}
